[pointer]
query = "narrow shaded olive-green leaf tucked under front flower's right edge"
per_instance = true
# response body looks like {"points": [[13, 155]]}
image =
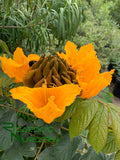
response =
{"points": [[69, 110]]}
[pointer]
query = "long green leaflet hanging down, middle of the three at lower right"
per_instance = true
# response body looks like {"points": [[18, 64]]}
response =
{"points": [[98, 130]]}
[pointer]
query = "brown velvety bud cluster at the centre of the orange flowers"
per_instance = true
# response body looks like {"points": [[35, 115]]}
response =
{"points": [[51, 69]]}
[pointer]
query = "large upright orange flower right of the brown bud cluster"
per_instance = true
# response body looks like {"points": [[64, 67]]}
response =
{"points": [[87, 67]]}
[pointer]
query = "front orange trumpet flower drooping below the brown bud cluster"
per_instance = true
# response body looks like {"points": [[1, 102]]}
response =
{"points": [[47, 103]]}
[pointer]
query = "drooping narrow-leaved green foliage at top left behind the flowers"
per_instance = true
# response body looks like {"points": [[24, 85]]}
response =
{"points": [[33, 24]]}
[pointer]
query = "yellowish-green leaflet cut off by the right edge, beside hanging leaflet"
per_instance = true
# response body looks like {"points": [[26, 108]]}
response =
{"points": [[115, 120]]}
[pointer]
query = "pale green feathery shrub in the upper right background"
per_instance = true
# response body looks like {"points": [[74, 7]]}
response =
{"points": [[100, 30]]}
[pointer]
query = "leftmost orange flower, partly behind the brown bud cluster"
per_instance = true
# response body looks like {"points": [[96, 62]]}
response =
{"points": [[19, 65]]}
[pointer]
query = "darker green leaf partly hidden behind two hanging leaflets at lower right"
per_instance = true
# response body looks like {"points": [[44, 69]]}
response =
{"points": [[110, 145]]}
